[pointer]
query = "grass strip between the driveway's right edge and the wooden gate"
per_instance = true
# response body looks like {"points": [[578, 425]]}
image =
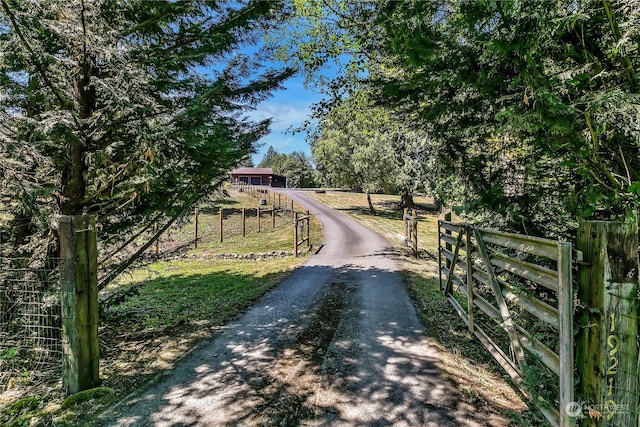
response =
{"points": [[465, 361]]}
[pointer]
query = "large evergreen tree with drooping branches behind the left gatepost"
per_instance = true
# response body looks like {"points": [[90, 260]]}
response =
{"points": [[128, 111]]}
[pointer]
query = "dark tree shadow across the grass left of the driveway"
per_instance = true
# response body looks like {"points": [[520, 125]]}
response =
{"points": [[149, 324]]}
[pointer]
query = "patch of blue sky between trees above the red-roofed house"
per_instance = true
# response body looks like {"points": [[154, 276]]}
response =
{"points": [[289, 108]]}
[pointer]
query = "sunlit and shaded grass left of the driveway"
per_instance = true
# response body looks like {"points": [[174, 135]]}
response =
{"points": [[154, 315]]}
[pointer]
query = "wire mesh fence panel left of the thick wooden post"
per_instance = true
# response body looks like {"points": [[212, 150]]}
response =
{"points": [[30, 323]]}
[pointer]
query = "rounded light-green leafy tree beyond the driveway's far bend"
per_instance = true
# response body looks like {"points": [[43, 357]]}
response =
{"points": [[365, 146]]}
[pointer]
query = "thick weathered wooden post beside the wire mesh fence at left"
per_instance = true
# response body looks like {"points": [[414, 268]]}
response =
{"points": [[79, 289]]}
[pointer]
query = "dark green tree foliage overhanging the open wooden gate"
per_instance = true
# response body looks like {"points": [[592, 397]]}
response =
{"points": [[533, 103]]}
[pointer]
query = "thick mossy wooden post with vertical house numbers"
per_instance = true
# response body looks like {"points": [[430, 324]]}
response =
{"points": [[606, 343]]}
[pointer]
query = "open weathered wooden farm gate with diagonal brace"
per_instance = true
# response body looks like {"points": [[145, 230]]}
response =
{"points": [[495, 276]]}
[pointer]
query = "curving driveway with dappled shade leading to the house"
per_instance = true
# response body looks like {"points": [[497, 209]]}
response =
{"points": [[337, 343]]}
